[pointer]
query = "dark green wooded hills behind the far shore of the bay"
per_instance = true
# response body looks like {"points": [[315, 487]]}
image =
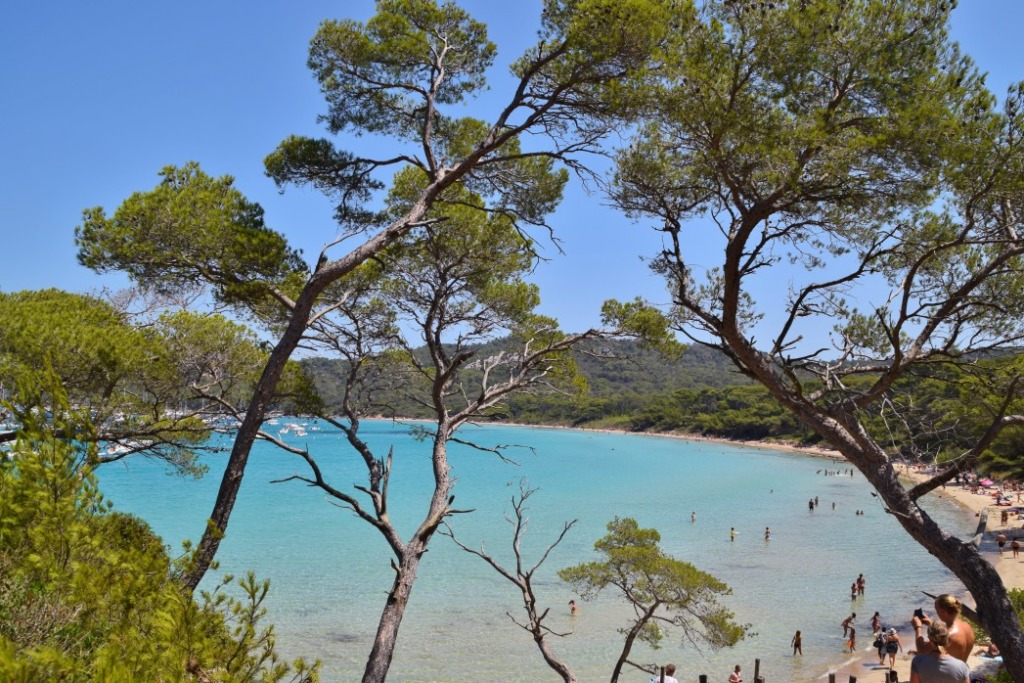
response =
{"points": [[935, 414]]}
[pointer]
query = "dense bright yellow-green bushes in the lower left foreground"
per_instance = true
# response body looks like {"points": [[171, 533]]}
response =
{"points": [[88, 594]]}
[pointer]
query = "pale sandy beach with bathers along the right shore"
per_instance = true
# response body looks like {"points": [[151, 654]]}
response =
{"points": [[1010, 570]]}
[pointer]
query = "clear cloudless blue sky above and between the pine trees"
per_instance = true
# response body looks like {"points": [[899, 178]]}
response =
{"points": [[97, 97]]}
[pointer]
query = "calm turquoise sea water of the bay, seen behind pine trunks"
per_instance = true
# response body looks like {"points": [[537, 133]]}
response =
{"points": [[330, 572]]}
